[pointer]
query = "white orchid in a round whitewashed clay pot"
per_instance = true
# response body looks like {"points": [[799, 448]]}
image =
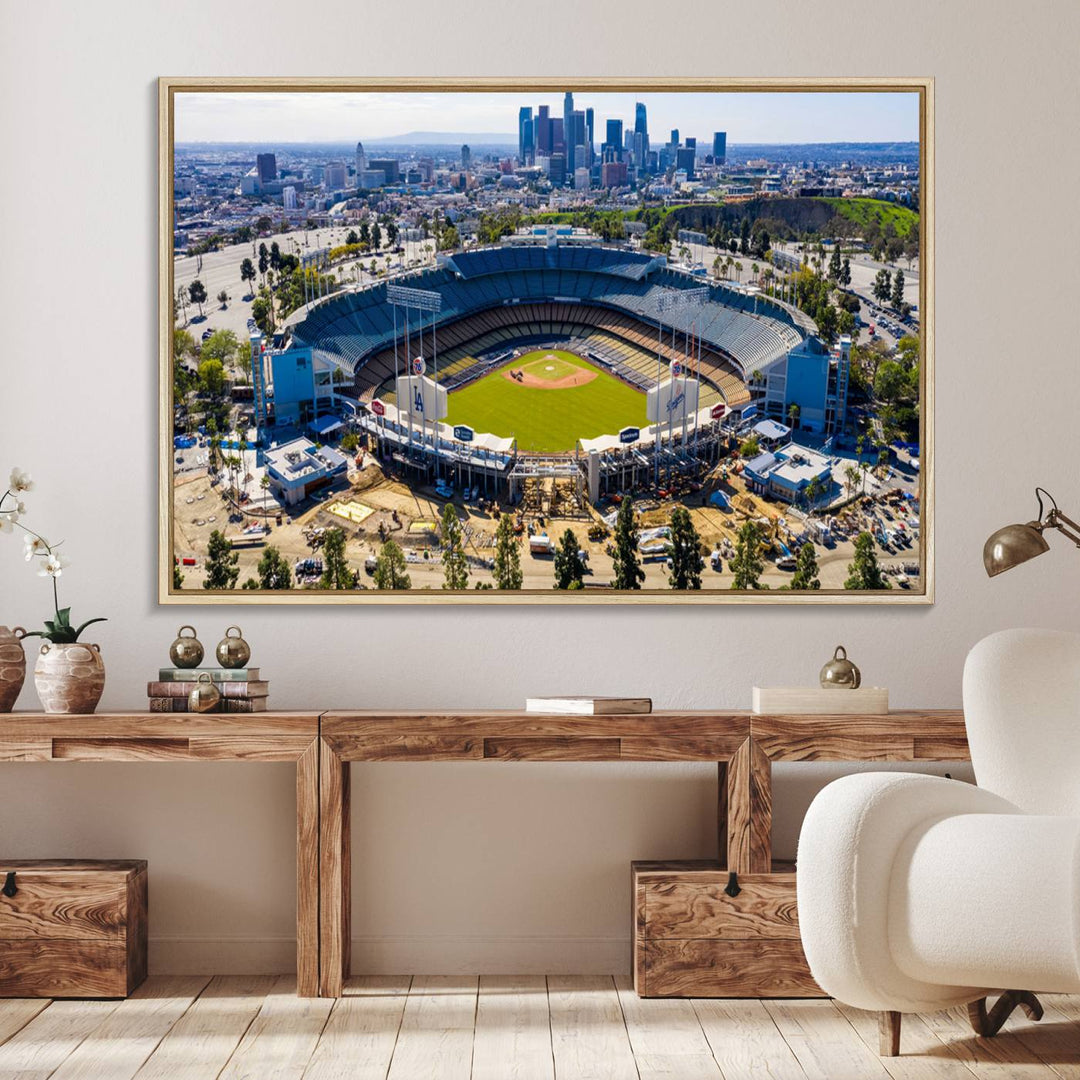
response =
{"points": [[70, 674]]}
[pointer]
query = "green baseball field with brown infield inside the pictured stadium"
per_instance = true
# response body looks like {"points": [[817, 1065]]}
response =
{"points": [[548, 400]]}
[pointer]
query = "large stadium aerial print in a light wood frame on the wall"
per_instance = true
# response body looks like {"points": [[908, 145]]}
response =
{"points": [[526, 342]]}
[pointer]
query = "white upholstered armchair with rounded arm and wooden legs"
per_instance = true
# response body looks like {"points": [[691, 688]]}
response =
{"points": [[917, 894]]}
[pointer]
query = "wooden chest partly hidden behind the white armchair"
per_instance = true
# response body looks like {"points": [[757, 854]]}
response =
{"points": [[693, 940]]}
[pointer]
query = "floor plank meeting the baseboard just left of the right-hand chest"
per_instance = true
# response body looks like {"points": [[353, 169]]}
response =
{"points": [[588, 1031]]}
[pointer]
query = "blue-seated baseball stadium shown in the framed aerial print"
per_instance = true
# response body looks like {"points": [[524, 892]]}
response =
{"points": [[600, 364]]}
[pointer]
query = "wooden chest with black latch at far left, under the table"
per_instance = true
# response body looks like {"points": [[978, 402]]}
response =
{"points": [[73, 929]]}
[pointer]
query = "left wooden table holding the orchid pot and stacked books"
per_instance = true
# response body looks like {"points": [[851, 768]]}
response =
{"points": [[210, 737]]}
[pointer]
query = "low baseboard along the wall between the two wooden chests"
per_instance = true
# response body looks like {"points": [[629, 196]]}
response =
{"points": [[395, 955]]}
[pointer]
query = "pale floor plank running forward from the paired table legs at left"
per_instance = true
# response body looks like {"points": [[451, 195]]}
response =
{"points": [[280, 1042]]}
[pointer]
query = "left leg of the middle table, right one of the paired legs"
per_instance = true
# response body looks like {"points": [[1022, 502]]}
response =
{"points": [[334, 872]]}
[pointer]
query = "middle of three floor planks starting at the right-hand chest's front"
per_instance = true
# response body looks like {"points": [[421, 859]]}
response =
{"points": [[746, 1042]]}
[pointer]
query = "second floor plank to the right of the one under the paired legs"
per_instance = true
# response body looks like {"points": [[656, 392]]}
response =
{"points": [[436, 1041]]}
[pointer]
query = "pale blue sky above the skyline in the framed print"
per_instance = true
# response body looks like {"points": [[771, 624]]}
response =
{"points": [[344, 117]]}
